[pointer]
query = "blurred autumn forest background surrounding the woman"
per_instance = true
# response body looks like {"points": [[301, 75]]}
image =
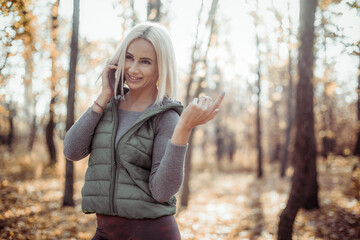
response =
{"points": [[281, 159]]}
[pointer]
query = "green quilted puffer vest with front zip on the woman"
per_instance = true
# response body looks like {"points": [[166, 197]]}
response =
{"points": [[117, 178]]}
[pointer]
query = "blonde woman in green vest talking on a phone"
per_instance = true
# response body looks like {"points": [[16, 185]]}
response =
{"points": [[136, 141]]}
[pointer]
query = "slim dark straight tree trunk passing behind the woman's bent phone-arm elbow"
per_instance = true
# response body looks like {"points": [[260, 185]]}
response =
{"points": [[69, 177]]}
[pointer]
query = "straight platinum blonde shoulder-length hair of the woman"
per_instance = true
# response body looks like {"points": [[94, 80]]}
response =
{"points": [[159, 37]]}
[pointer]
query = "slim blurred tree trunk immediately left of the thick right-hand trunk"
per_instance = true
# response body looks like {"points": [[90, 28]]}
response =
{"points": [[284, 157]]}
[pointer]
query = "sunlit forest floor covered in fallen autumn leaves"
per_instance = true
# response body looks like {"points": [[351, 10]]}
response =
{"points": [[223, 205]]}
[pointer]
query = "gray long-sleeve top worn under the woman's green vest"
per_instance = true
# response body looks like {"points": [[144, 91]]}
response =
{"points": [[167, 169]]}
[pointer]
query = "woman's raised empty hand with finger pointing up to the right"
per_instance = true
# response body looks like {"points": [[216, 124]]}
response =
{"points": [[200, 111]]}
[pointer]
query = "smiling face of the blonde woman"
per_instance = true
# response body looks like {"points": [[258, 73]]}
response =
{"points": [[141, 69]]}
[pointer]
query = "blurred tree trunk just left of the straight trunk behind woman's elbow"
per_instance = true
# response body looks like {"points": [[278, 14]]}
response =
{"points": [[53, 53]]}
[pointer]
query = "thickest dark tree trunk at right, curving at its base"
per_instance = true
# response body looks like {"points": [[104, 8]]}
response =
{"points": [[304, 183]]}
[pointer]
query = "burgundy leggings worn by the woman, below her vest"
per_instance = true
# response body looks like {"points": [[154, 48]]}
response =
{"points": [[118, 228]]}
